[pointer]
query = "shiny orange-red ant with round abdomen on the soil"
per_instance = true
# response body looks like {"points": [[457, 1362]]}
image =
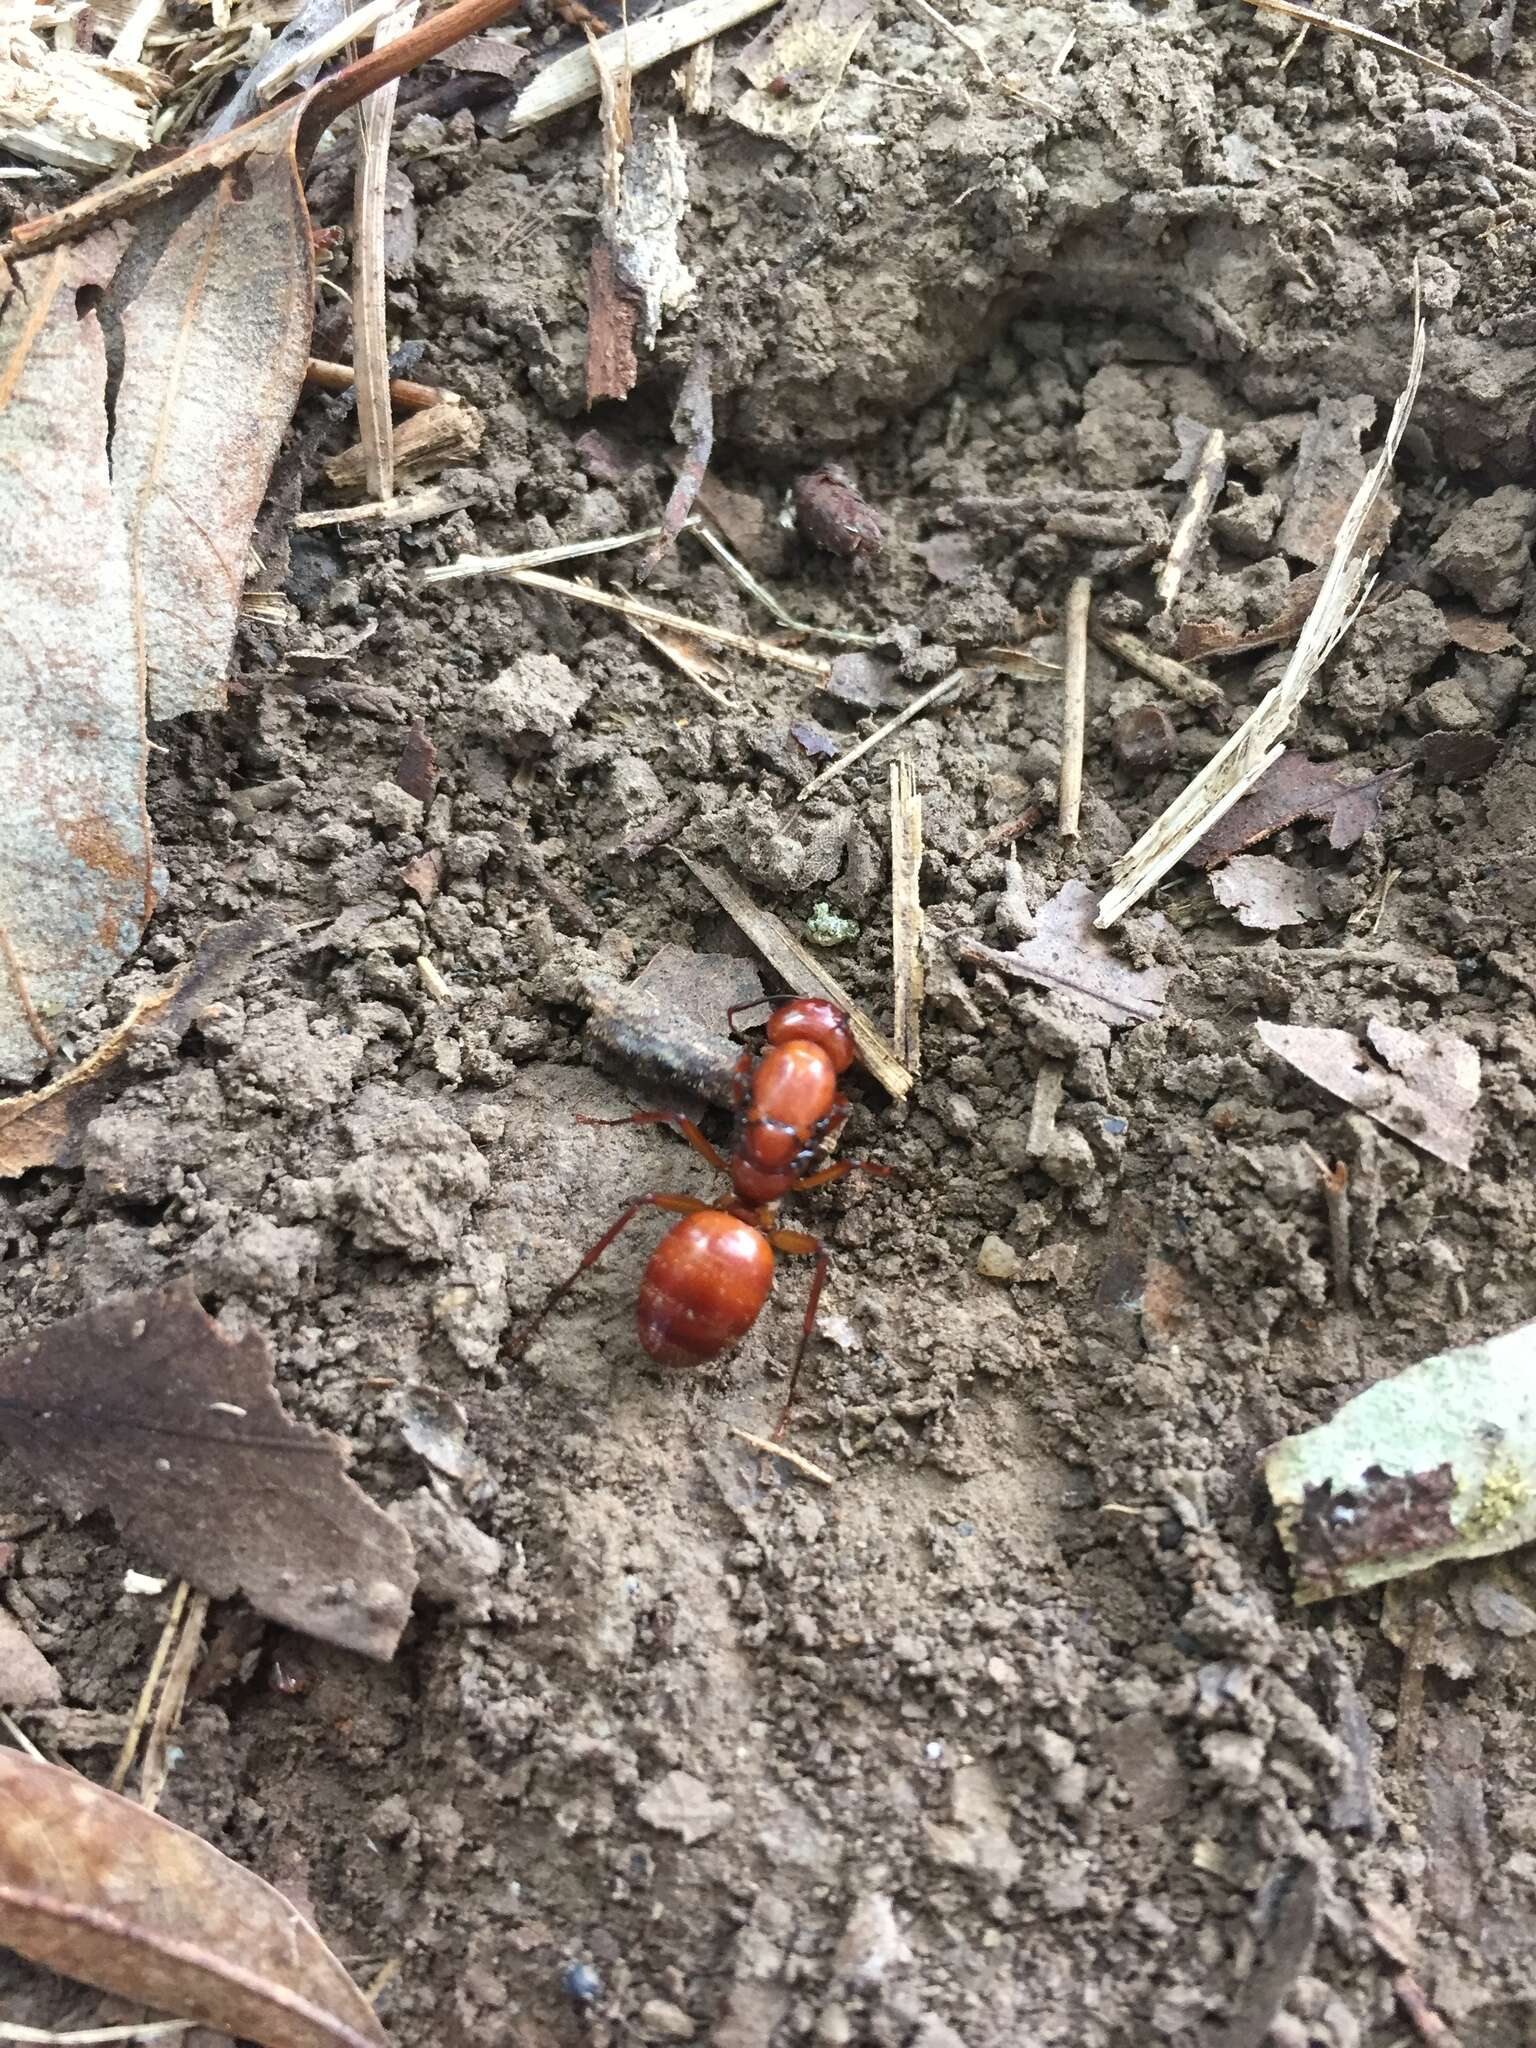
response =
{"points": [[710, 1279]]}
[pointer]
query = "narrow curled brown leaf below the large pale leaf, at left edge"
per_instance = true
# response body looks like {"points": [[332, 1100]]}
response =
{"points": [[46, 1127]]}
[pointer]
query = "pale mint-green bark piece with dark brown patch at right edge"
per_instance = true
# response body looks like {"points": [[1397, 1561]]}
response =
{"points": [[1433, 1463]]}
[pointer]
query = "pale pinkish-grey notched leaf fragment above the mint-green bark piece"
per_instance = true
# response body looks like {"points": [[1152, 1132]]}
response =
{"points": [[1426, 1093]]}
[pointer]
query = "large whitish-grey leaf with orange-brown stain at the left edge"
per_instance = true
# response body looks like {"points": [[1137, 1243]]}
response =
{"points": [[77, 867]]}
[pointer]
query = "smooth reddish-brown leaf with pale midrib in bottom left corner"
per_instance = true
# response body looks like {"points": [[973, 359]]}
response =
{"points": [[95, 1887]]}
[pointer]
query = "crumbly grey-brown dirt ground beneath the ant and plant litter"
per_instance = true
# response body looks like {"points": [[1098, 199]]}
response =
{"points": [[1015, 1736]]}
